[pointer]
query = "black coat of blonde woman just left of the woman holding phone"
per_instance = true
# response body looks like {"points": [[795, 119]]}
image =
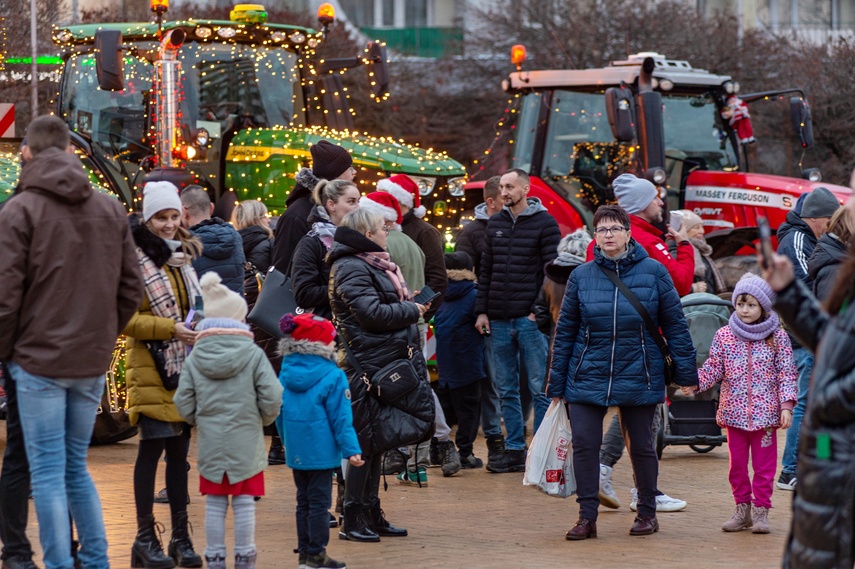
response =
{"points": [[310, 274]]}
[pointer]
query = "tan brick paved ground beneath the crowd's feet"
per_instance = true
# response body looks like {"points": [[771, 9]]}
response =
{"points": [[482, 520]]}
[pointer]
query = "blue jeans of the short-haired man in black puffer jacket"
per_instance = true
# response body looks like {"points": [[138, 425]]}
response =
{"points": [[511, 339]]}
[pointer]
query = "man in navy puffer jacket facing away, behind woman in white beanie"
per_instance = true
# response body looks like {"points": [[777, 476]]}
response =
{"points": [[223, 248]]}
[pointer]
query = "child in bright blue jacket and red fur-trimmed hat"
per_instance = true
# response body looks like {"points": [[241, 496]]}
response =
{"points": [[316, 425]]}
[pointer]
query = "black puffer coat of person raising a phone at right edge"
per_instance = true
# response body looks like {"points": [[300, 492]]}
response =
{"points": [[821, 530]]}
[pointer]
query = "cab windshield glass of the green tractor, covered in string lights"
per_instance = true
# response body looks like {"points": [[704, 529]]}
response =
{"points": [[224, 88]]}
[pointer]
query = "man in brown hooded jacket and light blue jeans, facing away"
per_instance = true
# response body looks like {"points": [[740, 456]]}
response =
{"points": [[71, 283]]}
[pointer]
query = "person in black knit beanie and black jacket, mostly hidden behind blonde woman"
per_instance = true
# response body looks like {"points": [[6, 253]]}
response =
{"points": [[329, 162]]}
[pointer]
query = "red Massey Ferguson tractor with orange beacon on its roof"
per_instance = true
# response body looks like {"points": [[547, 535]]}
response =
{"points": [[683, 128]]}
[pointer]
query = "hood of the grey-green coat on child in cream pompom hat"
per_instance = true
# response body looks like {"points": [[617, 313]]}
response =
{"points": [[223, 355]]}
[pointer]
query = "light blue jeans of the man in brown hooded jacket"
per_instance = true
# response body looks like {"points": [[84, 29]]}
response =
{"points": [[57, 417]]}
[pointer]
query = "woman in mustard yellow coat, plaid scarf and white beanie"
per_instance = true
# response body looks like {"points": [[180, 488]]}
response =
{"points": [[164, 250]]}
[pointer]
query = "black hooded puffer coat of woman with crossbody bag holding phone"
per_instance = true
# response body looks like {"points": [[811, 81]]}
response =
{"points": [[375, 324]]}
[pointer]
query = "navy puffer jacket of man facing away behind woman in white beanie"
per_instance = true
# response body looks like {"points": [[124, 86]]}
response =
{"points": [[222, 253]]}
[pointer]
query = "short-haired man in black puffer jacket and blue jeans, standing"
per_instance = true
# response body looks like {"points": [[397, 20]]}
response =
{"points": [[521, 239]]}
